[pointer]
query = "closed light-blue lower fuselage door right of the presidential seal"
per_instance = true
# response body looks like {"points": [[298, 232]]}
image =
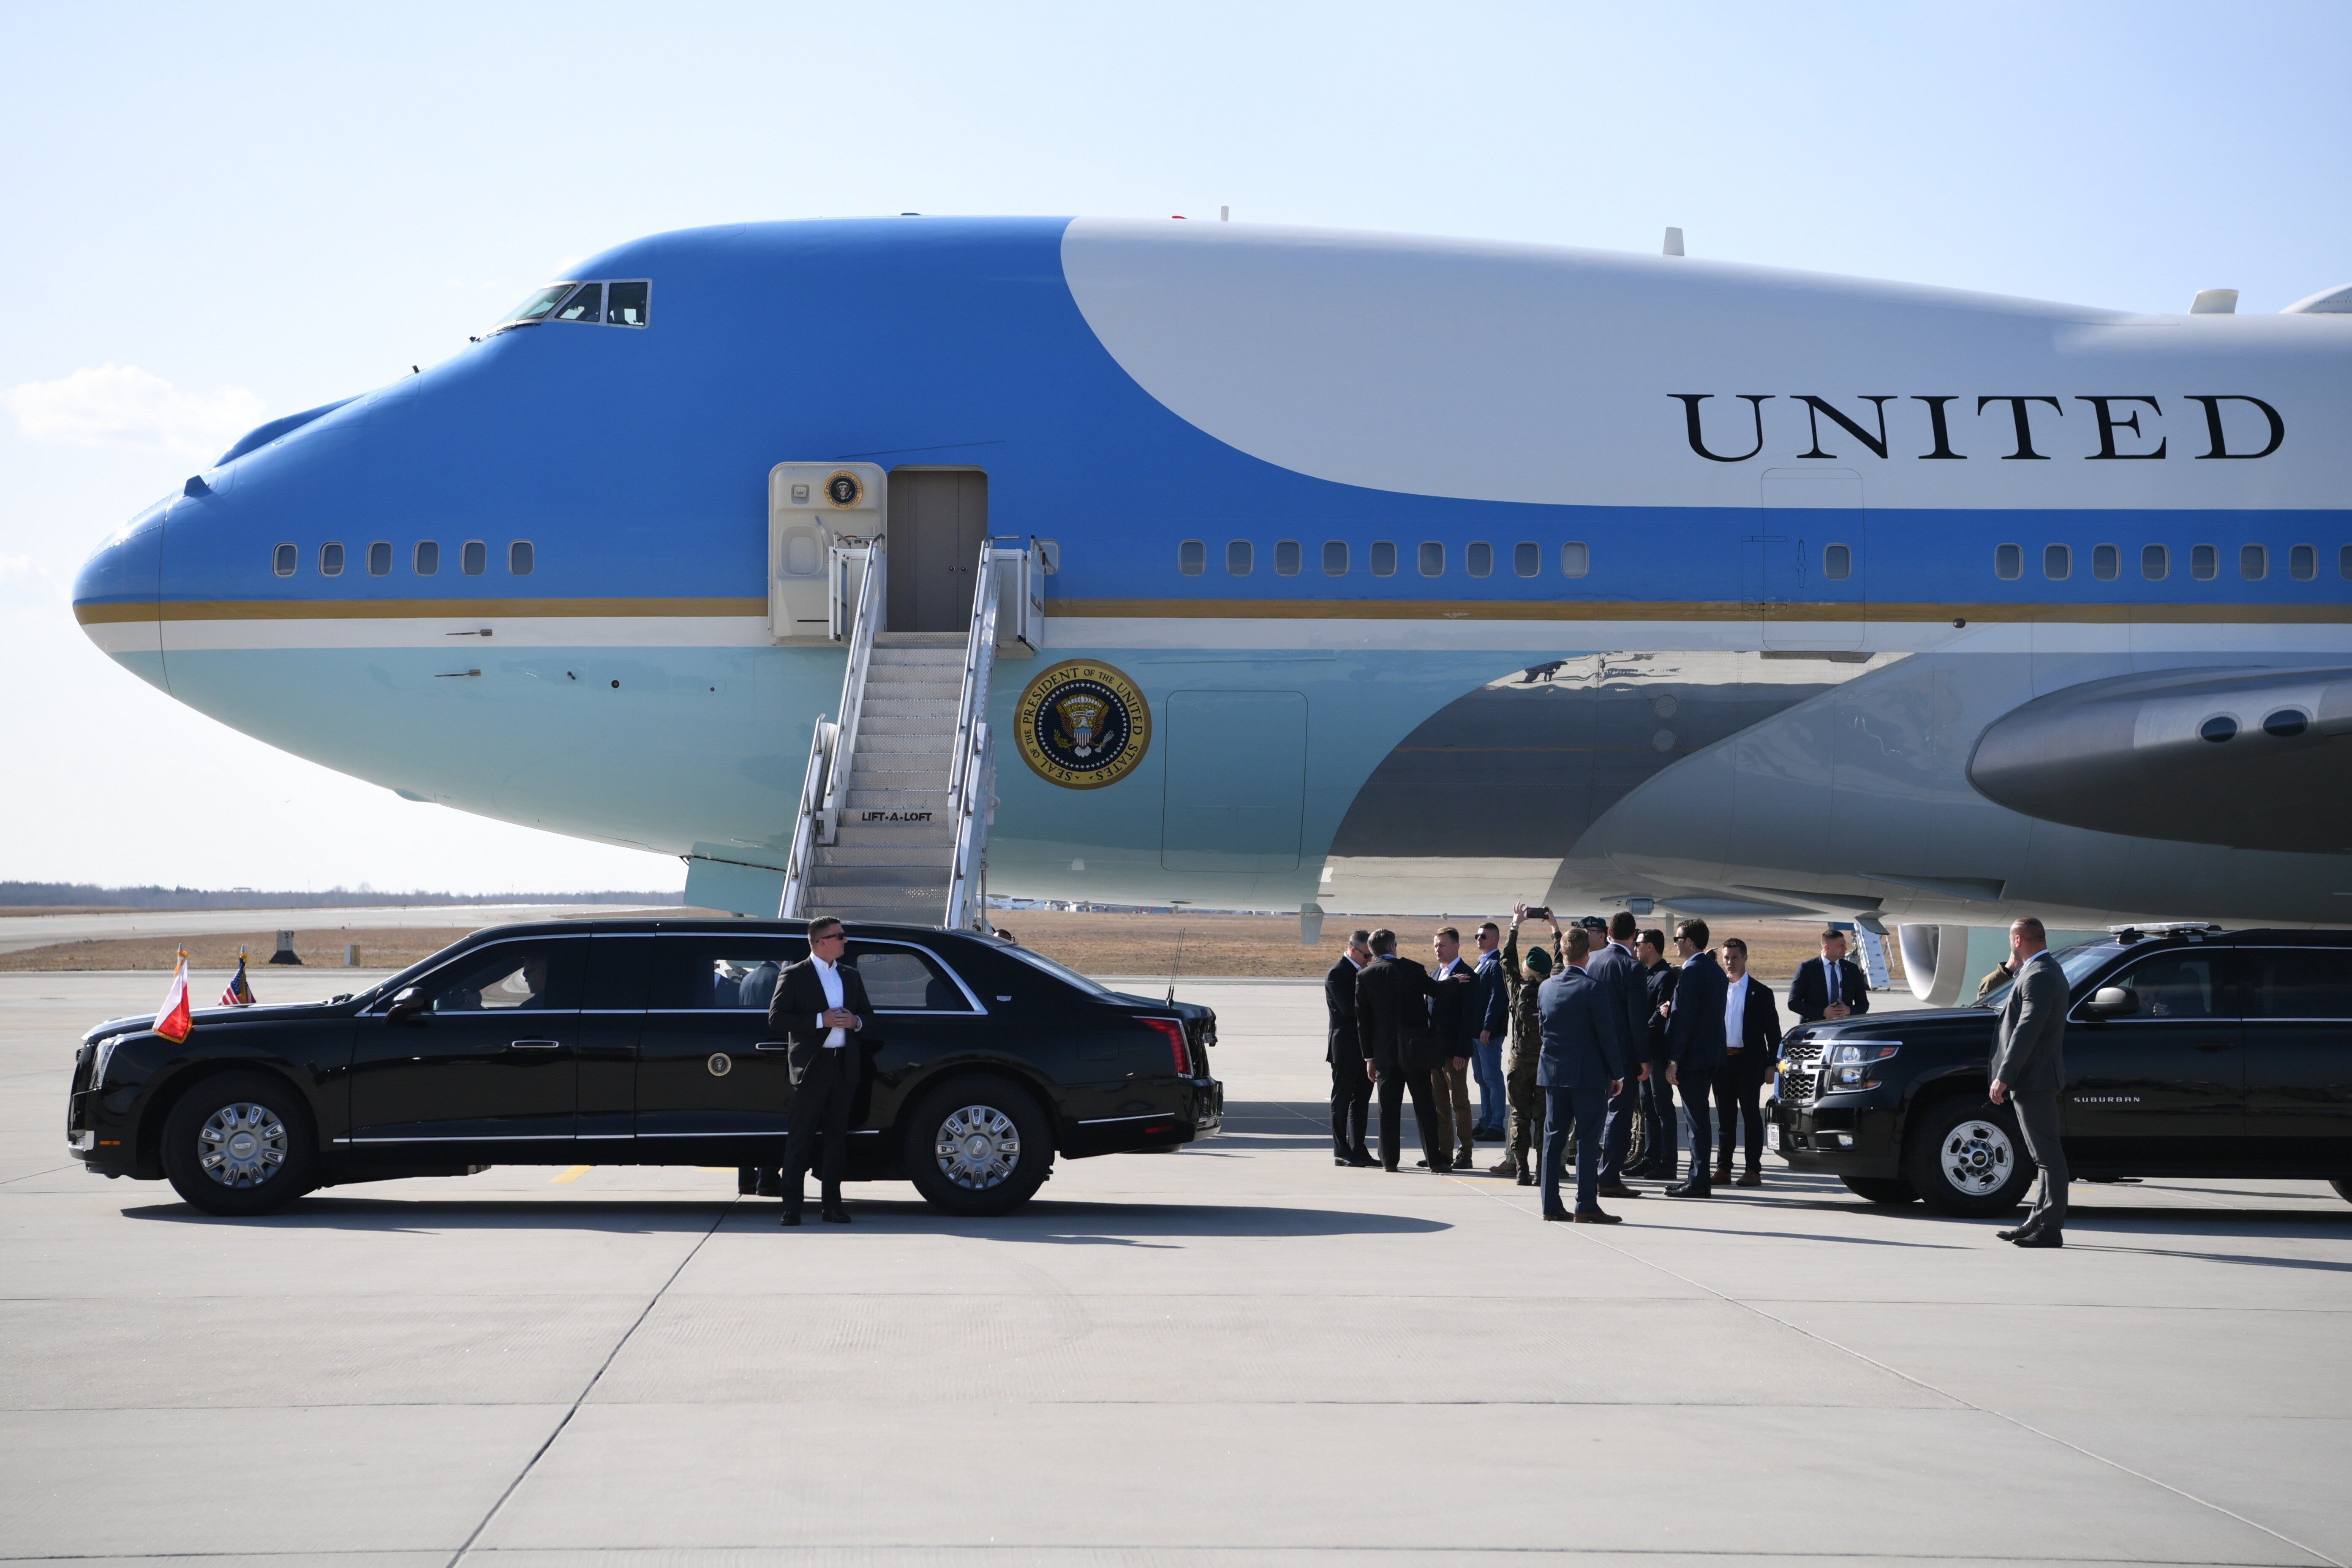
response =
{"points": [[1236, 782]]}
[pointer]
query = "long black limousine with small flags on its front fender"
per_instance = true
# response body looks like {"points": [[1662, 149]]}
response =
{"points": [[646, 1043]]}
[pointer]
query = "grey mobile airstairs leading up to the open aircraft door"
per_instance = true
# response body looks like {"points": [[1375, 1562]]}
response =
{"points": [[902, 784]]}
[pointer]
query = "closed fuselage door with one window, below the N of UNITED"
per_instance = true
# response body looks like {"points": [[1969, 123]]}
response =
{"points": [[1803, 572]]}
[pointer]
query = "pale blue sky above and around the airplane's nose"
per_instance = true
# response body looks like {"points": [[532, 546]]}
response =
{"points": [[250, 210]]}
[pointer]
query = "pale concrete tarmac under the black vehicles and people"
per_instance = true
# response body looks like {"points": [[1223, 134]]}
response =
{"points": [[1231, 1355]]}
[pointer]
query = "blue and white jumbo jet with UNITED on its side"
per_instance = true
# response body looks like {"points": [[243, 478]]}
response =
{"points": [[1314, 570]]}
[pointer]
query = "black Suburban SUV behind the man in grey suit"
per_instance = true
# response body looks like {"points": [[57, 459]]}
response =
{"points": [[2189, 1052]]}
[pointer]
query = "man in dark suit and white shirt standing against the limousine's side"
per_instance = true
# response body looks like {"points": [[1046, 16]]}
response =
{"points": [[820, 1010]]}
